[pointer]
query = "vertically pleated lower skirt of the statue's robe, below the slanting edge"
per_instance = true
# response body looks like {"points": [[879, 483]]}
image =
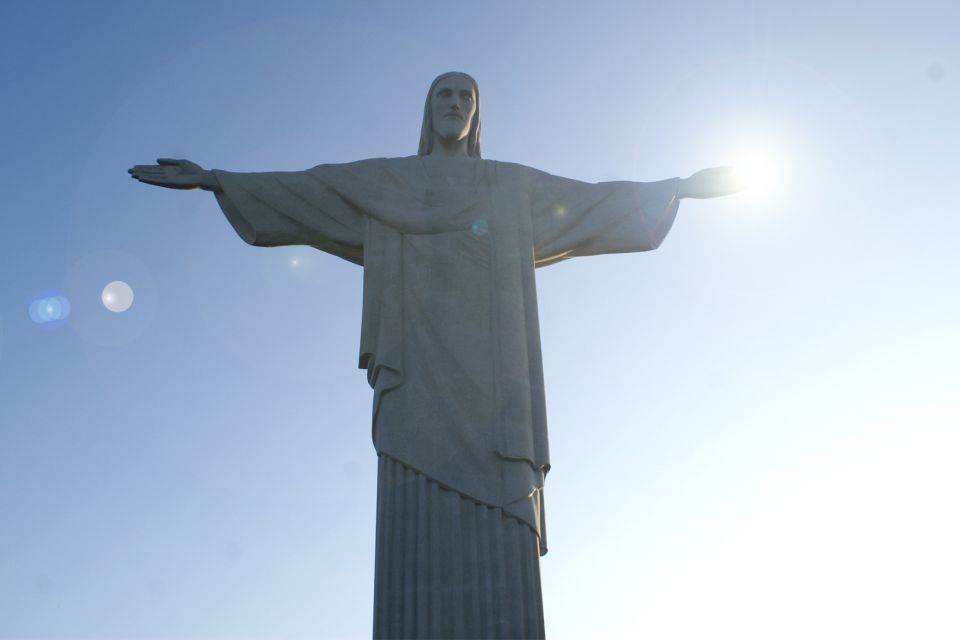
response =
{"points": [[448, 566]]}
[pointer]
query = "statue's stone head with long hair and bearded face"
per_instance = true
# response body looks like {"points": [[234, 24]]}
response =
{"points": [[452, 112]]}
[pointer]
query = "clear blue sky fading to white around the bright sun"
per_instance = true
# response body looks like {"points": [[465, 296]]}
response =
{"points": [[754, 429]]}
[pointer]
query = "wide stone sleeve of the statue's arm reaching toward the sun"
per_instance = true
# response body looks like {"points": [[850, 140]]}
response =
{"points": [[573, 218]]}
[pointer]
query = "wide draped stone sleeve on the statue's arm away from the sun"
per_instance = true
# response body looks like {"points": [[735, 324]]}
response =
{"points": [[296, 208]]}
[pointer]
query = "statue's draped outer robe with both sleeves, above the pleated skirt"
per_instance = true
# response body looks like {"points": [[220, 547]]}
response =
{"points": [[450, 336]]}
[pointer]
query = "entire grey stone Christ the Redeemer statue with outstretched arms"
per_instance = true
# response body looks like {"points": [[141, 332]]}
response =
{"points": [[451, 343]]}
